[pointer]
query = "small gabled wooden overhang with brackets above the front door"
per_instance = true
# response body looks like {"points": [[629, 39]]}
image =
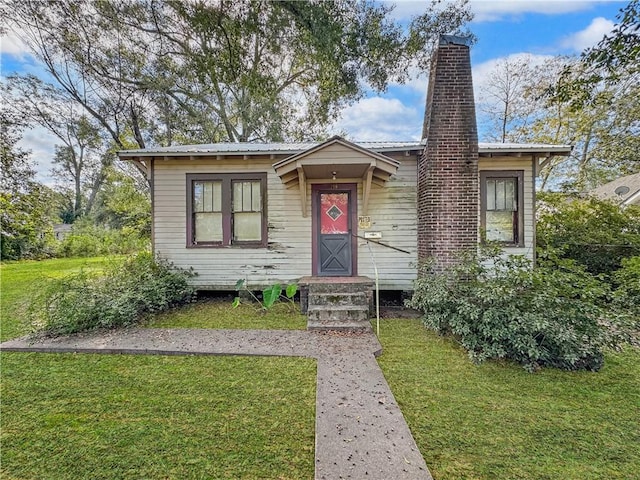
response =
{"points": [[312, 166]]}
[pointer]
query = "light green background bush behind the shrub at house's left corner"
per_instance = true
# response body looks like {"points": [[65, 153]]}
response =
{"points": [[91, 241]]}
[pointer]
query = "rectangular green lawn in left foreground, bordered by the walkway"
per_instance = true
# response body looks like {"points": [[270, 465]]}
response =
{"points": [[104, 417]]}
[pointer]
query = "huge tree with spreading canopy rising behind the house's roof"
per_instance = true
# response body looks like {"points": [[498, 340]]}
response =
{"points": [[166, 71]]}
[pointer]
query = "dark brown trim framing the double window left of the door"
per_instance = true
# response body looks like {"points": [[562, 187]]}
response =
{"points": [[227, 213]]}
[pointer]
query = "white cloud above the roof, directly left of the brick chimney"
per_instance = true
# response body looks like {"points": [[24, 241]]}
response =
{"points": [[380, 119]]}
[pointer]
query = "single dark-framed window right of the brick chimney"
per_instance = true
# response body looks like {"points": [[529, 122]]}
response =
{"points": [[502, 208]]}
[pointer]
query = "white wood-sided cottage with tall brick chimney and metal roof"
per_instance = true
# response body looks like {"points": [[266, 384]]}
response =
{"points": [[282, 211]]}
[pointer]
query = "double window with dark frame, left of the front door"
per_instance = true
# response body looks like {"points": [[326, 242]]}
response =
{"points": [[226, 209]]}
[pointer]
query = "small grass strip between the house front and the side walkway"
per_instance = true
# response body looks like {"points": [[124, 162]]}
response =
{"points": [[218, 313]]}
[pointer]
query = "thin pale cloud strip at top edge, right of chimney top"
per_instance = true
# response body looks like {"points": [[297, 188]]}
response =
{"points": [[494, 10]]}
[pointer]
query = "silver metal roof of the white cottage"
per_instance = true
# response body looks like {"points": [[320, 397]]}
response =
{"points": [[292, 148]]}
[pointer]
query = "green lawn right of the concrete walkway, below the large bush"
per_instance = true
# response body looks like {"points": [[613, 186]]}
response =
{"points": [[498, 421]]}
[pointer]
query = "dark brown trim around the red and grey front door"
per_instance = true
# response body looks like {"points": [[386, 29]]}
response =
{"points": [[352, 188]]}
